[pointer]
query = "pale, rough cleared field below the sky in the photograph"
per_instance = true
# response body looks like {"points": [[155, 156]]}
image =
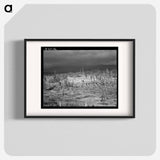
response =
{"points": [[76, 89]]}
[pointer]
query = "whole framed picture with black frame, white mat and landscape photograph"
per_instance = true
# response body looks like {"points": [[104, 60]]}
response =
{"points": [[79, 78]]}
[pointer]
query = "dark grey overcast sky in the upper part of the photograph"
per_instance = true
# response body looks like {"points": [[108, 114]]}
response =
{"points": [[63, 59]]}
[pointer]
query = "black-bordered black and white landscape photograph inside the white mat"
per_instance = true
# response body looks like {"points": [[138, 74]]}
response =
{"points": [[79, 77]]}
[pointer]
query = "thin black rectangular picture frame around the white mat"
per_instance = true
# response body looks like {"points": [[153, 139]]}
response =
{"points": [[25, 76]]}
